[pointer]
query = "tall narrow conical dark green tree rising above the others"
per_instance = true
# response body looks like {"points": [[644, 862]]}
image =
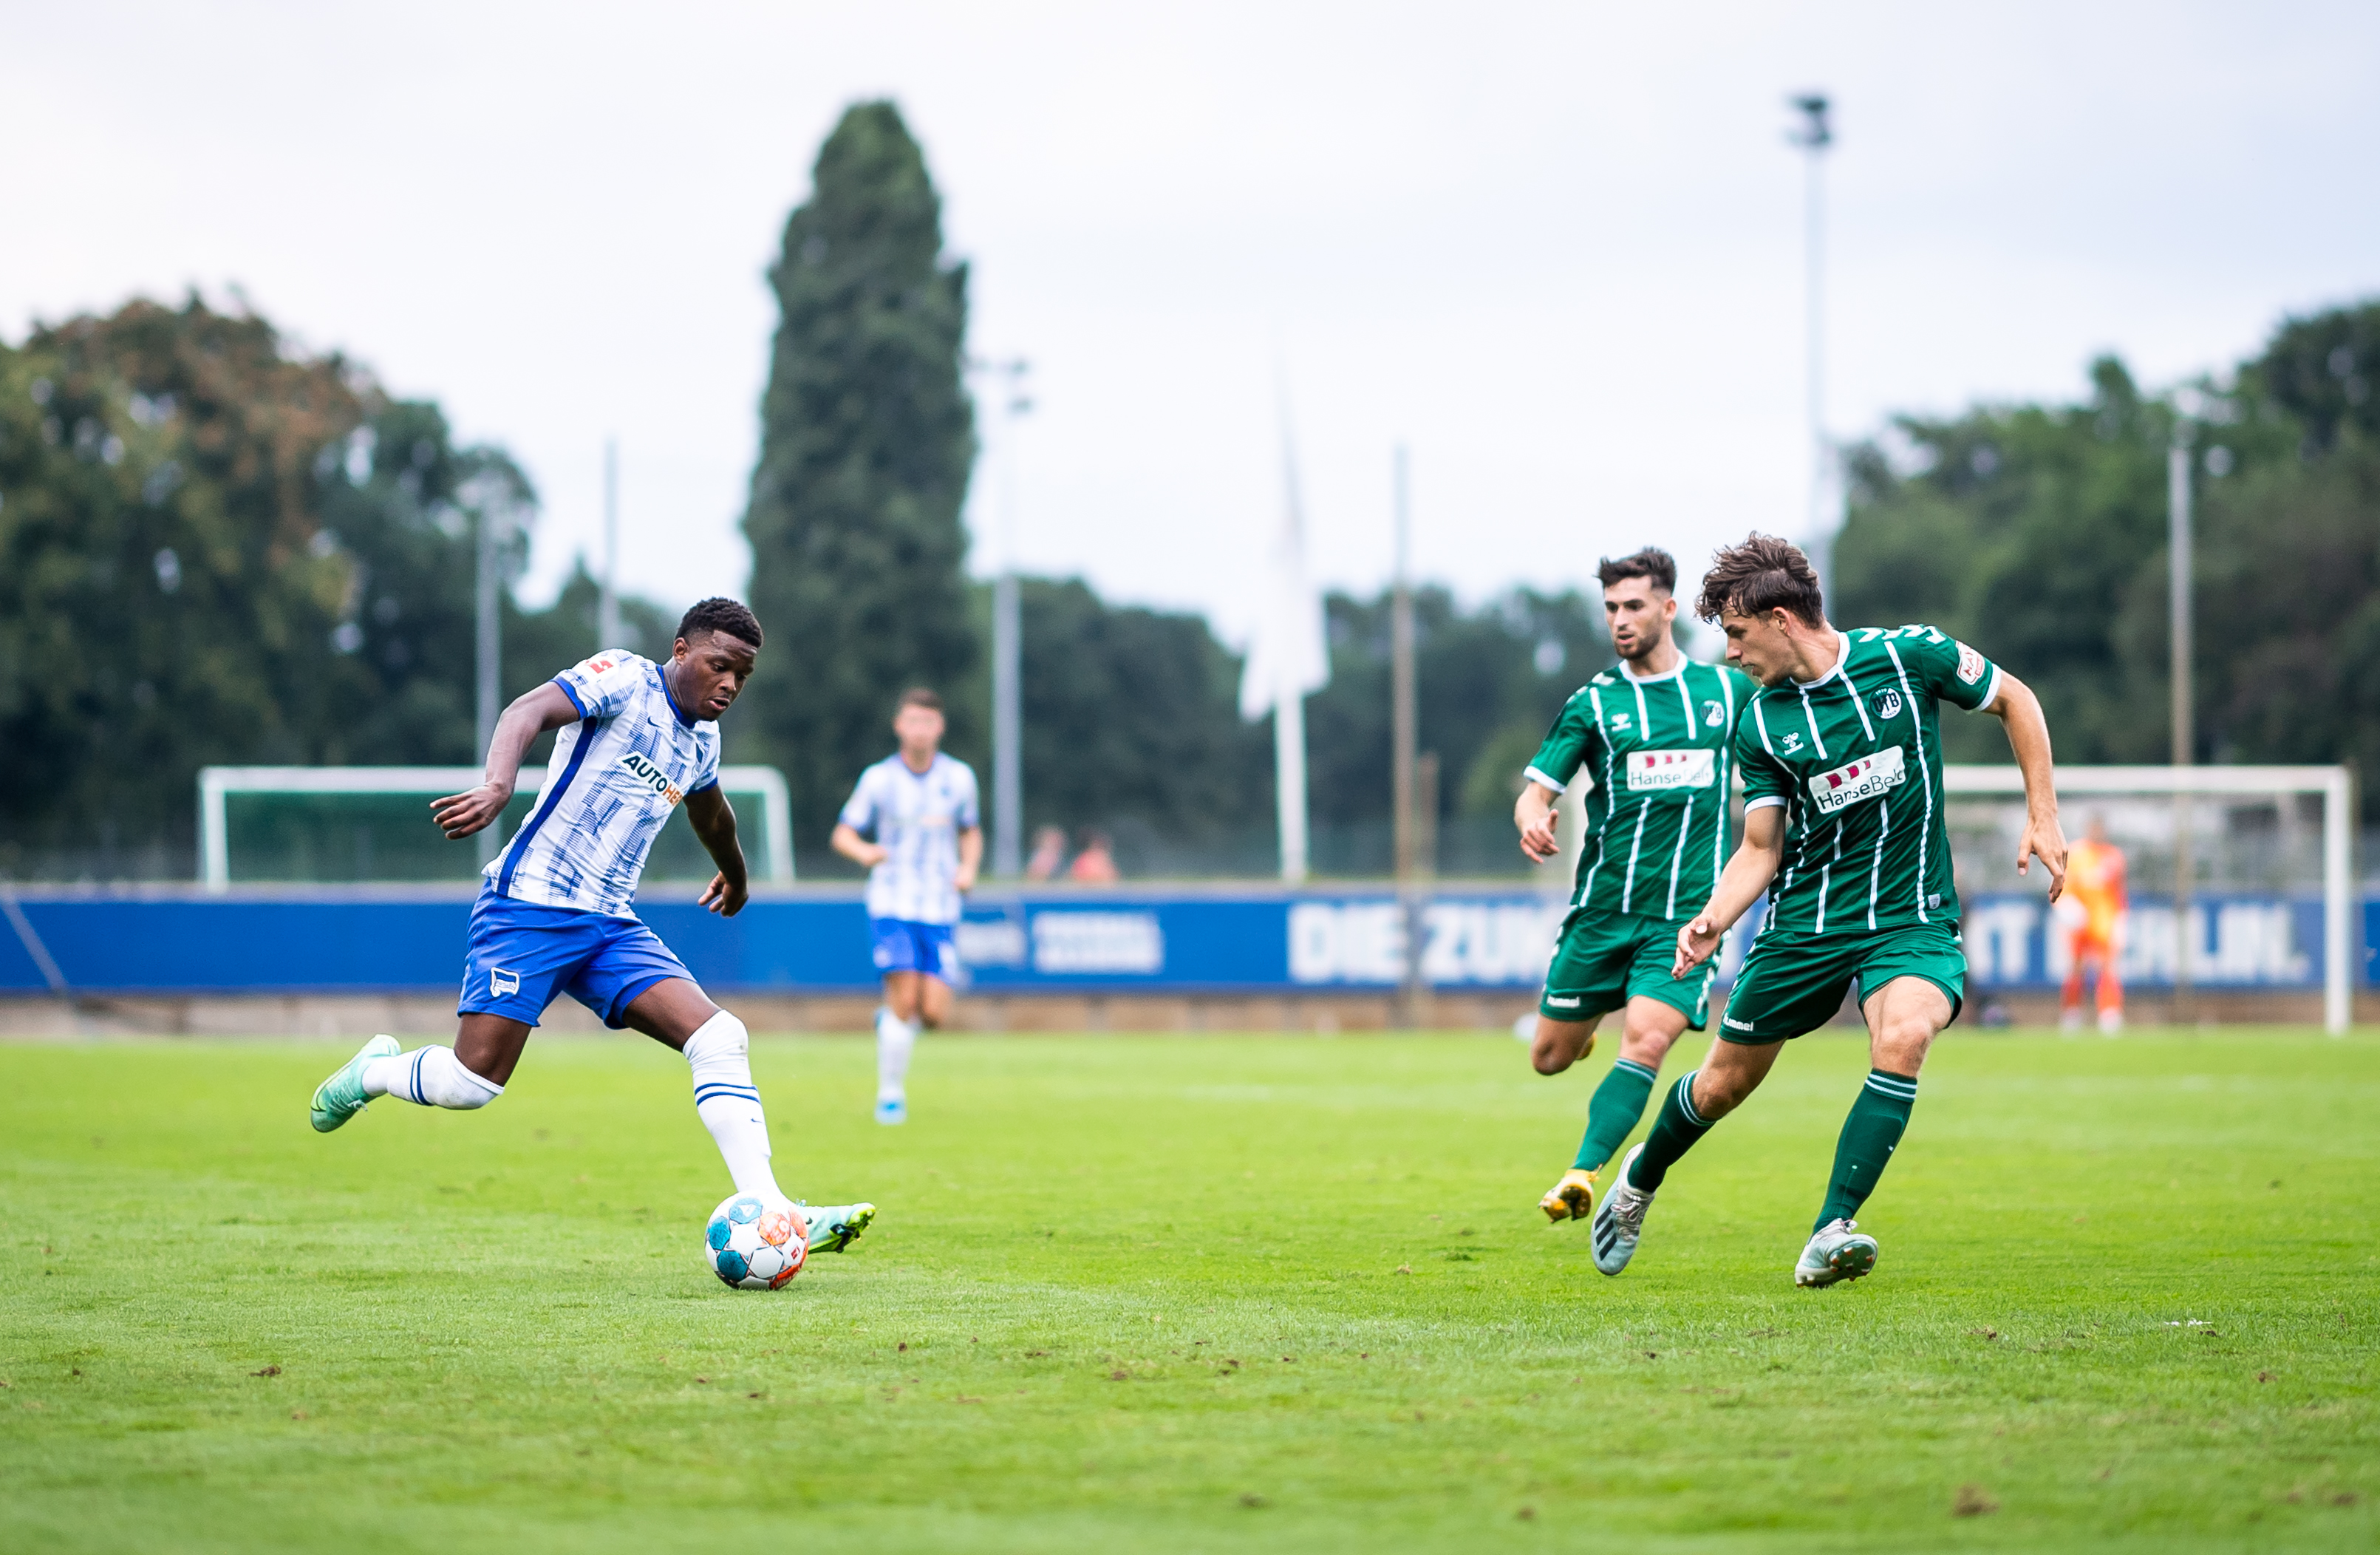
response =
{"points": [[868, 439]]}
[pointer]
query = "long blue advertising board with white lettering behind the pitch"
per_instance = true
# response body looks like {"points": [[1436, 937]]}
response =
{"points": [[1041, 942]]}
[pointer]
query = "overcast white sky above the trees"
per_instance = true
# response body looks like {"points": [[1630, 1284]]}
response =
{"points": [[1555, 246]]}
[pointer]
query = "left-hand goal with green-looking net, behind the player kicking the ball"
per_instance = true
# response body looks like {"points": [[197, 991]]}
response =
{"points": [[287, 825]]}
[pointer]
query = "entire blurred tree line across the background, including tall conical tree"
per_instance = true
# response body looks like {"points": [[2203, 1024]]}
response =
{"points": [[218, 547]]}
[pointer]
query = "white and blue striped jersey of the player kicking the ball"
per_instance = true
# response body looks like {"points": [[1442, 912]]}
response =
{"points": [[615, 777]]}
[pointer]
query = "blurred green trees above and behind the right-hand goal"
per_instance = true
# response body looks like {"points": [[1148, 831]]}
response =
{"points": [[2038, 532]]}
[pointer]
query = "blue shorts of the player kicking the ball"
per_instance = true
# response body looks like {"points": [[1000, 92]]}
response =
{"points": [[520, 956]]}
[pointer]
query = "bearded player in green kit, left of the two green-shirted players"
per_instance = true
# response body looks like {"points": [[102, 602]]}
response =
{"points": [[1651, 739]]}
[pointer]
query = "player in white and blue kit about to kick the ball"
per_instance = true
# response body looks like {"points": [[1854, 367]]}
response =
{"points": [[556, 913]]}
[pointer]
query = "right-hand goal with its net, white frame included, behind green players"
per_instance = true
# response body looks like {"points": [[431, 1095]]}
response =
{"points": [[2238, 878]]}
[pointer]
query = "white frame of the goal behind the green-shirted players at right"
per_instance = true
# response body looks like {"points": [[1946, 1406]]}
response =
{"points": [[2238, 785]]}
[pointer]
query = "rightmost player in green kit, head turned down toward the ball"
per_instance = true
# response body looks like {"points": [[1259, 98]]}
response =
{"points": [[1843, 828]]}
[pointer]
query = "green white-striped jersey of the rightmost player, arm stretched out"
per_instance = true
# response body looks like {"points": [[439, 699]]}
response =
{"points": [[1855, 758]]}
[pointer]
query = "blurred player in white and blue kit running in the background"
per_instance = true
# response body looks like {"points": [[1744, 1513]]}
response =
{"points": [[929, 844]]}
